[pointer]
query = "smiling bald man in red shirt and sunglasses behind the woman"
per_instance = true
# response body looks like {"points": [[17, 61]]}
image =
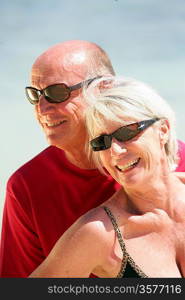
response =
{"points": [[46, 195]]}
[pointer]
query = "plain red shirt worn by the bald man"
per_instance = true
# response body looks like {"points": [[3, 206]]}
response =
{"points": [[44, 197]]}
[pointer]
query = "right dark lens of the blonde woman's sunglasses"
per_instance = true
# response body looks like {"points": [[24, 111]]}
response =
{"points": [[126, 133]]}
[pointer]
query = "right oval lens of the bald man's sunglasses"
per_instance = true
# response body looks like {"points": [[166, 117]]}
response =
{"points": [[57, 93]]}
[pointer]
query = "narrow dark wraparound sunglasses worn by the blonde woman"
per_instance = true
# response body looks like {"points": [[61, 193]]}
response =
{"points": [[122, 134]]}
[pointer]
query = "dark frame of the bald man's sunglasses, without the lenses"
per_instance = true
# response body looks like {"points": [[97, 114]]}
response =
{"points": [[69, 89]]}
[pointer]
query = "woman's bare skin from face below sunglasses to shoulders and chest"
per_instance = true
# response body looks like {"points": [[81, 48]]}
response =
{"points": [[151, 220]]}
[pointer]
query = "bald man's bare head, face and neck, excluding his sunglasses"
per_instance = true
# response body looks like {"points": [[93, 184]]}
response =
{"points": [[69, 62]]}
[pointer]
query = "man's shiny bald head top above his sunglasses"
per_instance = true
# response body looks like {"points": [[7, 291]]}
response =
{"points": [[71, 60]]}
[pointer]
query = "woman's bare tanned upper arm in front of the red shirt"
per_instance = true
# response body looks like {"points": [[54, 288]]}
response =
{"points": [[75, 254]]}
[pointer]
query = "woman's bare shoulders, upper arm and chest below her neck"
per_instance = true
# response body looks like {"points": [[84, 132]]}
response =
{"points": [[91, 245]]}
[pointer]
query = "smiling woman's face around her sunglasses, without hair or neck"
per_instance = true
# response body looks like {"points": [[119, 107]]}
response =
{"points": [[138, 160]]}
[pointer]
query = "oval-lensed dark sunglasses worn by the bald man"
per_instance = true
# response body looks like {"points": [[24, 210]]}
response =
{"points": [[55, 93]]}
